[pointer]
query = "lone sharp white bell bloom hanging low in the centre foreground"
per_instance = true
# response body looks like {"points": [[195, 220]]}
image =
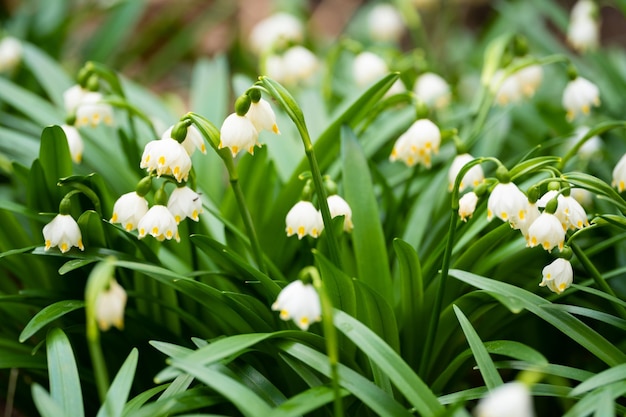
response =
{"points": [[299, 302]]}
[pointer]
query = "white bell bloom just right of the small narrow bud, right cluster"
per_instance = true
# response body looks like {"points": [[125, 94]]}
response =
{"points": [[508, 203]]}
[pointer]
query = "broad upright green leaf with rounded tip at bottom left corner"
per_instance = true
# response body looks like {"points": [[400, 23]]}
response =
{"points": [[65, 387]]}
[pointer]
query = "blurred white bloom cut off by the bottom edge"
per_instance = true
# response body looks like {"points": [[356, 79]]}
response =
{"points": [[512, 399]]}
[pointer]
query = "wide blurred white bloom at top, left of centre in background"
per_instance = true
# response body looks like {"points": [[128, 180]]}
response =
{"points": [[276, 31]]}
